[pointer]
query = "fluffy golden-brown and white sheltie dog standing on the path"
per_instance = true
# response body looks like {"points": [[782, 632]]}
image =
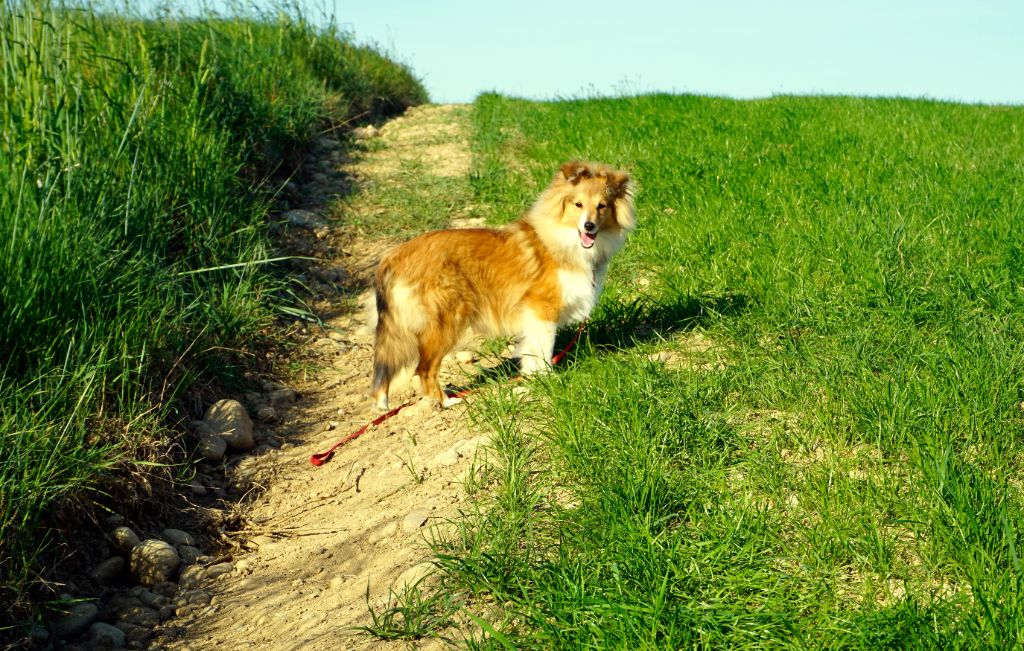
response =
{"points": [[526, 280]]}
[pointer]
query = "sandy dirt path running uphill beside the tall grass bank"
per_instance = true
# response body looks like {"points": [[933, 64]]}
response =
{"points": [[321, 538]]}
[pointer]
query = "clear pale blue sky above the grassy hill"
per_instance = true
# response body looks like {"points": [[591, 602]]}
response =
{"points": [[947, 50]]}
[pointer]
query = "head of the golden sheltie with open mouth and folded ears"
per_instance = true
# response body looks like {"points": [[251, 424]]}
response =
{"points": [[595, 199]]}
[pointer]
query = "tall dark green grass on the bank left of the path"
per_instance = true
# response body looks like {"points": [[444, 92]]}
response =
{"points": [[137, 160]]}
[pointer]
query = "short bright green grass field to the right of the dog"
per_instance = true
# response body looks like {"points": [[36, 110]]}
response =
{"points": [[828, 453]]}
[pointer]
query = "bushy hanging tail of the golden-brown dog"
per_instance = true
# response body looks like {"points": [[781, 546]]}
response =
{"points": [[397, 316]]}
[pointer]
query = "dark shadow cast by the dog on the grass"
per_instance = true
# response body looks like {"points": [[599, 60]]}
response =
{"points": [[622, 325]]}
